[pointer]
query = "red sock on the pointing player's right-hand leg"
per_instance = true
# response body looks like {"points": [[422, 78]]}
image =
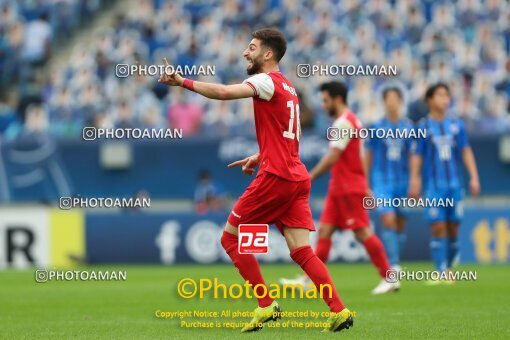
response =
{"points": [[318, 273]]}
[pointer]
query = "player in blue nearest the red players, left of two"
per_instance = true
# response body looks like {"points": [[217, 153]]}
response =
{"points": [[387, 161]]}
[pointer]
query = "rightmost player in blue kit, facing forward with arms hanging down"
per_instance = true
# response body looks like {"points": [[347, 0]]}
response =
{"points": [[437, 163]]}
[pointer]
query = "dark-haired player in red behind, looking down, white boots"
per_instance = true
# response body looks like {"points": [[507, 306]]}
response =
{"points": [[347, 187]]}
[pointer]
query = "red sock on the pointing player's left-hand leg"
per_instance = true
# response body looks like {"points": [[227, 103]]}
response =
{"points": [[247, 265]]}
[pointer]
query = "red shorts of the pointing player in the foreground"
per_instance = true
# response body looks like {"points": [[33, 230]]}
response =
{"points": [[270, 199]]}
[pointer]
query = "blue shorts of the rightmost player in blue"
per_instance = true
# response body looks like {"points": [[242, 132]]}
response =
{"points": [[449, 205]]}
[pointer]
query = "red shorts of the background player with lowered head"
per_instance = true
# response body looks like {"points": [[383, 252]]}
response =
{"points": [[345, 211]]}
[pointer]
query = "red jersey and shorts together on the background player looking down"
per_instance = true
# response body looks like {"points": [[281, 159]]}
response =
{"points": [[343, 206]]}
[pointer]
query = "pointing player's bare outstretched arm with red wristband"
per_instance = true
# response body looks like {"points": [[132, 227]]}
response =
{"points": [[209, 90]]}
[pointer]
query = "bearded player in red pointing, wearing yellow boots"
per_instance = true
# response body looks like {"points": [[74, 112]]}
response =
{"points": [[279, 193]]}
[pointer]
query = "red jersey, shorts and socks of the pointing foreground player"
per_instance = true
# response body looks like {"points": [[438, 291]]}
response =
{"points": [[279, 193]]}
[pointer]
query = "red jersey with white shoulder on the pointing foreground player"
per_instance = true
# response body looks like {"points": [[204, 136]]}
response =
{"points": [[276, 108]]}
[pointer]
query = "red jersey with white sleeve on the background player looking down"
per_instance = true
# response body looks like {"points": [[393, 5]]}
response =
{"points": [[347, 174]]}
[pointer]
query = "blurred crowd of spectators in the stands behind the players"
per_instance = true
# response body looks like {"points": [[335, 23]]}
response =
{"points": [[465, 43]]}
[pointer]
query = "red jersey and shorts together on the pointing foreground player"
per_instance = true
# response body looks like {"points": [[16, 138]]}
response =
{"points": [[280, 192]]}
